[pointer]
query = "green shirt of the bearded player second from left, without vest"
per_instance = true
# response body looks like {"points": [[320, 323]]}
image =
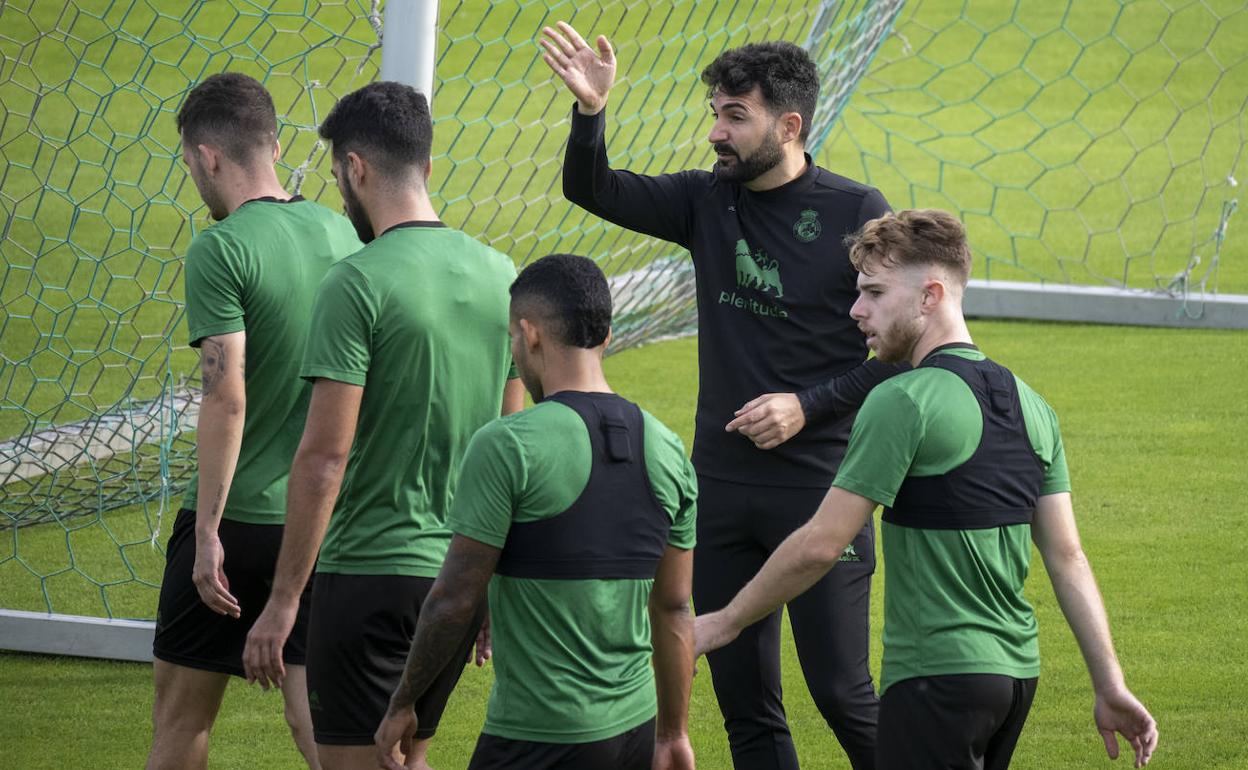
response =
{"points": [[419, 319]]}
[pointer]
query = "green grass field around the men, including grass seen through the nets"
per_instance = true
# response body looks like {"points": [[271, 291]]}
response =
{"points": [[1090, 144]]}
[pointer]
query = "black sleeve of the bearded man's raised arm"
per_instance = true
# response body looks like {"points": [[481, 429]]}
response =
{"points": [[657, 207]]}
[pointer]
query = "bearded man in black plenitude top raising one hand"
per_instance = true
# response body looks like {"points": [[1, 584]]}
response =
{"points": [[782, 366]]}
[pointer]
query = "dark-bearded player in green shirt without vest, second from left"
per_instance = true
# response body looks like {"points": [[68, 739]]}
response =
{"points": [[409, 353]]}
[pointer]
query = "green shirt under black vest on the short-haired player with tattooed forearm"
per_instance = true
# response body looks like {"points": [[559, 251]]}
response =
{"points": [[572, 658]]}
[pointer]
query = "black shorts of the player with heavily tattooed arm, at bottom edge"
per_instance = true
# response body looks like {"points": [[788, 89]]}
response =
{"points": [[630, 751]]}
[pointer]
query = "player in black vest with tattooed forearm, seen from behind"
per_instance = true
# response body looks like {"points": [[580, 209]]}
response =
{"points": [[582, 509]]}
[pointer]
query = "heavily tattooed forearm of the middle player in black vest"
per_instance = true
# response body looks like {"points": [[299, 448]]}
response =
{"points": [[449, 618]]}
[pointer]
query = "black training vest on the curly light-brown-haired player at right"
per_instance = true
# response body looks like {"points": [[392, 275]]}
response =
{"points": [[1002, 481]]}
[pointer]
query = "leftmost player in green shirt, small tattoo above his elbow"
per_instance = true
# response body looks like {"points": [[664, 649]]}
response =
{"points": [[250, 285]]}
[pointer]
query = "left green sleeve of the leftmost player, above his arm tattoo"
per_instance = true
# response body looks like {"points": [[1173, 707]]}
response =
{"points": [[214, 290]]}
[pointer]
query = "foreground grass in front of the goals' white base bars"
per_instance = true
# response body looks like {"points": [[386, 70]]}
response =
{"points": [[1151, 420]]}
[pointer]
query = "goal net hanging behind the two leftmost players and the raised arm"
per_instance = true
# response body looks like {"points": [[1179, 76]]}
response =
{"points": [[98, 387]]}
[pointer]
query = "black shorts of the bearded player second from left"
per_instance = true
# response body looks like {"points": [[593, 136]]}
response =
{"points": [[359, 641]]}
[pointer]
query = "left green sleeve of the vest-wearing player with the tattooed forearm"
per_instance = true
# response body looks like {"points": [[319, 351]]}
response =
{"points": [[491, 482]]}
